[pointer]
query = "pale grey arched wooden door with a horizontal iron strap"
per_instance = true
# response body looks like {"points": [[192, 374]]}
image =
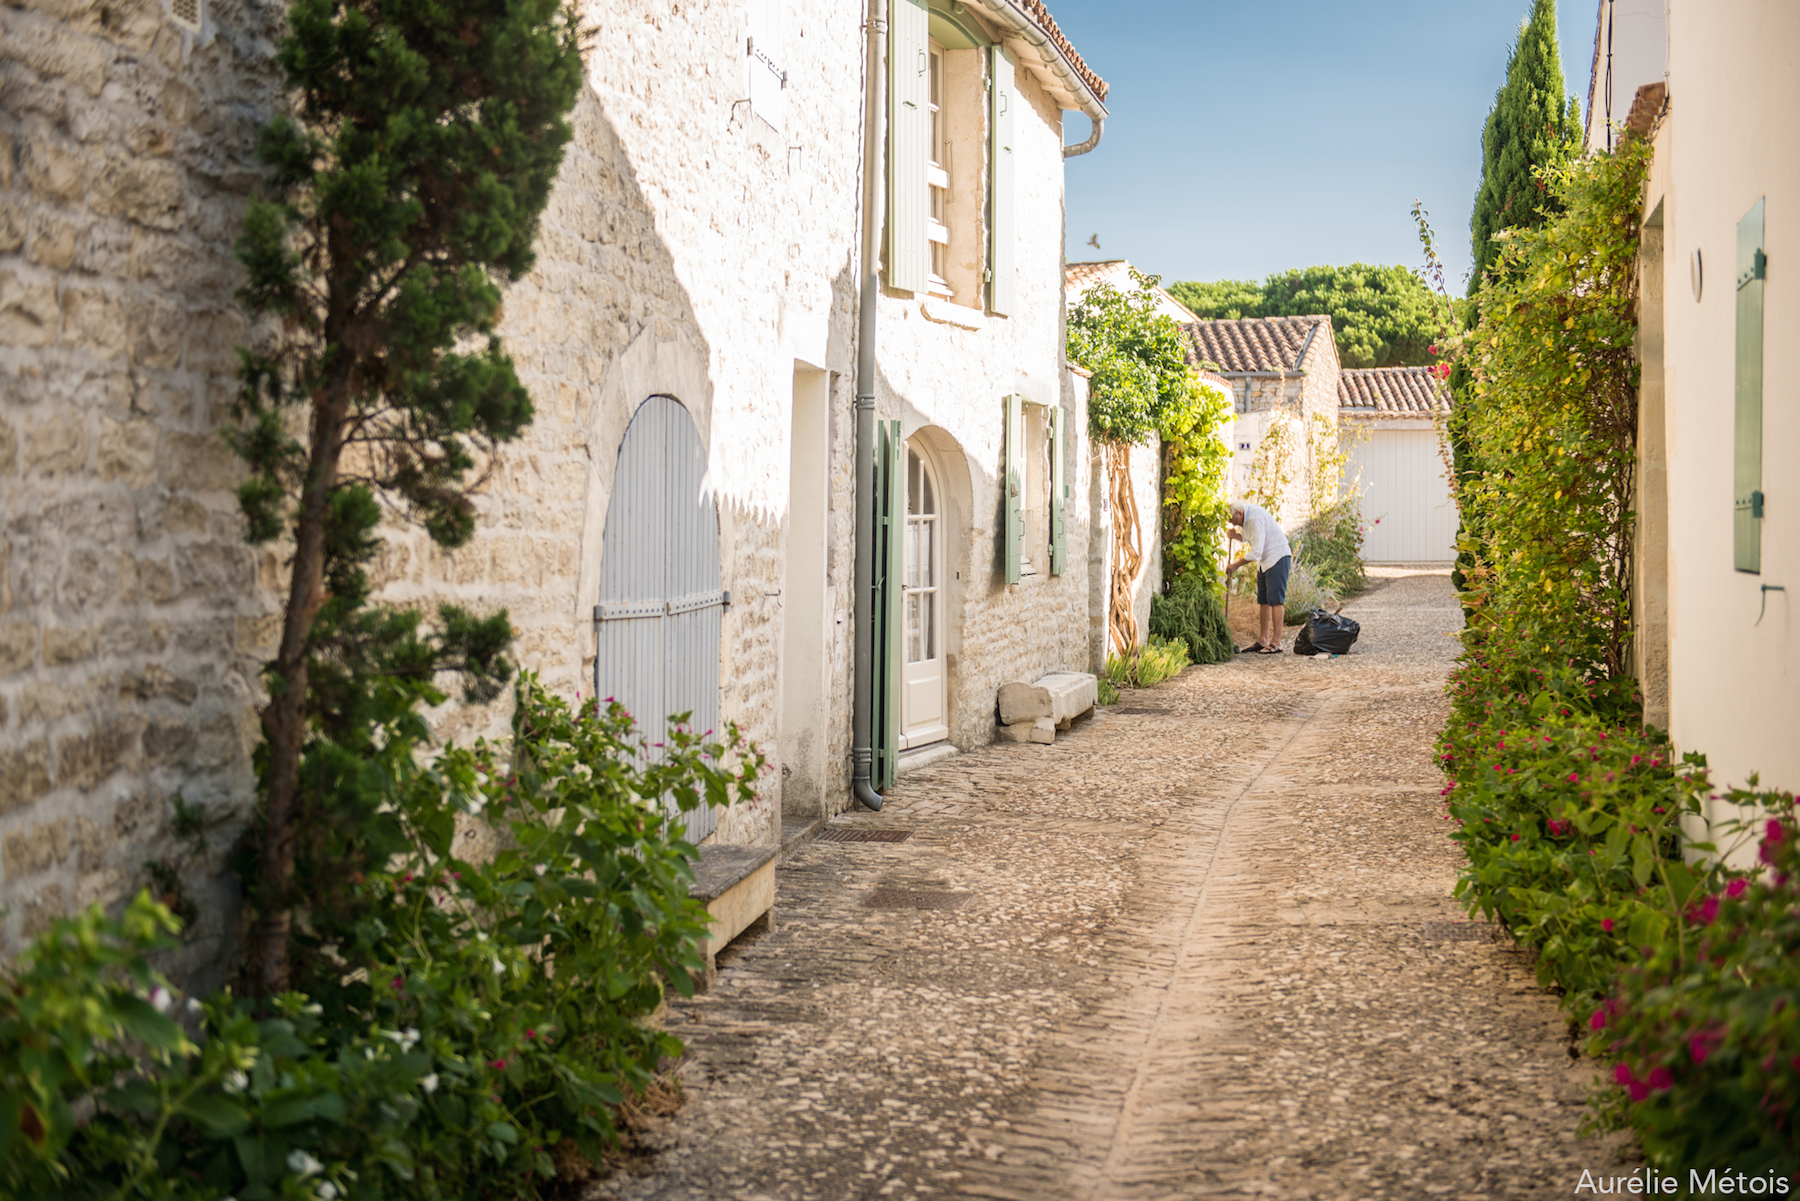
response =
{"points": [[660, 606]]}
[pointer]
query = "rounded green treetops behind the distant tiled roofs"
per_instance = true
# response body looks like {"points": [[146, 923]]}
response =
{"points": [[1381, 316]]}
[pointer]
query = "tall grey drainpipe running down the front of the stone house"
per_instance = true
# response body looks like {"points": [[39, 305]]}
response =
{"points": [[863, 687]]}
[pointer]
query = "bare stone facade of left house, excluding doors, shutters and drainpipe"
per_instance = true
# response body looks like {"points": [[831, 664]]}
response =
{"points": [[690, 249]]}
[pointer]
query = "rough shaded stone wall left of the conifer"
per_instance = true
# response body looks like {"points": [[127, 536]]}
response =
{"points": [[132, 615]]}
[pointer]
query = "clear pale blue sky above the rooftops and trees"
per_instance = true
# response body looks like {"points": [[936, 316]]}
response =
{"points": [[1250, 138]]}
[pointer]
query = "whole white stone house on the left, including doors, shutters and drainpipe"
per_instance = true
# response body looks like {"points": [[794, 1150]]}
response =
{"points": [[690, 339]]}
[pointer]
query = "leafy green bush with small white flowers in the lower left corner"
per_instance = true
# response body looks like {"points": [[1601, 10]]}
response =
{"points": [[474, 1016]]}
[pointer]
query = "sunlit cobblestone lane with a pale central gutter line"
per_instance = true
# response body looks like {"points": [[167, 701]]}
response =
{"points": [[1203, 946]]}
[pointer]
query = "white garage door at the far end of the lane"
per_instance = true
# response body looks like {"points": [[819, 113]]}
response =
{"points": [[1405, 487]]}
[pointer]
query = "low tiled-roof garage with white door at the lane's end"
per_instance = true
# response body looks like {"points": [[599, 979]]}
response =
{"points": [[1396, 417]]}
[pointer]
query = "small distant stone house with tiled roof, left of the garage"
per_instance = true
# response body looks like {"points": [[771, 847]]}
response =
{"points": [[1282, 374]]}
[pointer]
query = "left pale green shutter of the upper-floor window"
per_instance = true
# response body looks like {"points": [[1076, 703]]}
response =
{"points": [[908, 134]]}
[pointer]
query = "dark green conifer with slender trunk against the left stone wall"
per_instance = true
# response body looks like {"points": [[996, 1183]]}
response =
{"points": [[406, 190]]}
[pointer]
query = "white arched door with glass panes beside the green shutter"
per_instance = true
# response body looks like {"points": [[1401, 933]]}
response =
{"points": [[922, 707]]}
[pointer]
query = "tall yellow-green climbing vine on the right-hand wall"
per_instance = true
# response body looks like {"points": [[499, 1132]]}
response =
{"points": [[1549, 509]]}
